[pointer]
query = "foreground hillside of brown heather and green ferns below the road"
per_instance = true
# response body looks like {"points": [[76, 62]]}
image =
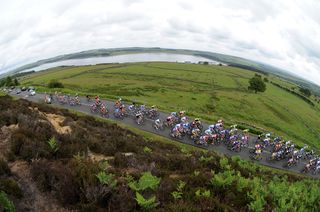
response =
{"points": [[98, 166]]}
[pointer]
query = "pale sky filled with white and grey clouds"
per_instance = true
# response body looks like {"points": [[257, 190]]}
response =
{"points": [[282, 33]]}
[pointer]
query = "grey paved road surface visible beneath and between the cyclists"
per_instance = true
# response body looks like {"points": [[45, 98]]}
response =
{"points": [[147, 126]]}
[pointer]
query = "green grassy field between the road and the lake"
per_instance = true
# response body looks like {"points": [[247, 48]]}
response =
{"points": [[210, 92]]}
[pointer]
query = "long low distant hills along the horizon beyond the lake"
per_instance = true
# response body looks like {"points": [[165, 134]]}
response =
{"points": [[230, 60]]}
